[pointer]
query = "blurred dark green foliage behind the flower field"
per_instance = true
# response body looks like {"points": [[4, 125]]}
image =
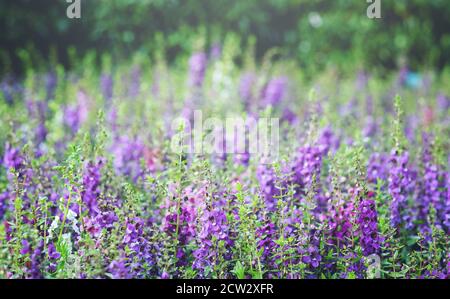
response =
{"points": [[316, 33]]}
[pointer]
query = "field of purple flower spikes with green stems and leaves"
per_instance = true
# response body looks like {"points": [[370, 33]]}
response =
{"points": [[90, 186]]}
